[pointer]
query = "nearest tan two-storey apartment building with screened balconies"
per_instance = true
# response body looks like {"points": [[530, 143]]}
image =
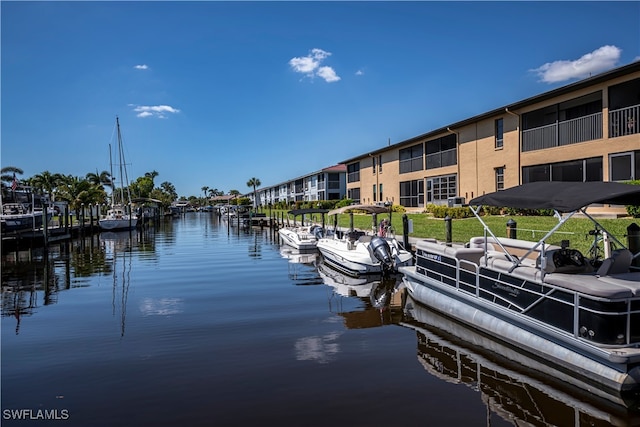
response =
{"points": [[585, 131]]}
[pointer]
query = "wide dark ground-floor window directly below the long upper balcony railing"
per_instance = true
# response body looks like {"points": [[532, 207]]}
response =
{"points": [[575, 170]]}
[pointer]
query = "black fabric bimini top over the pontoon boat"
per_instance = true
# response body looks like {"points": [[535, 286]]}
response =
{"points": [[561, 196]]}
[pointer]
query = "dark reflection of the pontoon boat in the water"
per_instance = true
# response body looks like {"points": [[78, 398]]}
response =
{"points": [[517, 388]]}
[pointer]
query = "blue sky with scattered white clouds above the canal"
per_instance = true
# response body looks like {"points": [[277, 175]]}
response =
{"points": [[215, 93]]}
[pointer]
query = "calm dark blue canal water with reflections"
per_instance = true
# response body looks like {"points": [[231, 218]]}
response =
{"points": [[195, 323]]}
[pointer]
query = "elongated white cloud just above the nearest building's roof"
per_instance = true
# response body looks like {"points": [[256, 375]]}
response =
{"points": [[595, 62]]}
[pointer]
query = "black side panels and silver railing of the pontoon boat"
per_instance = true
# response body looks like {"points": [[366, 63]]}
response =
{"points": [[566, 309]]}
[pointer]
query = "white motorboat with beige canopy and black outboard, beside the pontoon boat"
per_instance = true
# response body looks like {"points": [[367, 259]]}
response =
{"points": [[357, 252]]}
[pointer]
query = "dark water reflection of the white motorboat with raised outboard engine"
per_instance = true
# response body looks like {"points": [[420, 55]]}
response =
{"points": [[379, 297]]}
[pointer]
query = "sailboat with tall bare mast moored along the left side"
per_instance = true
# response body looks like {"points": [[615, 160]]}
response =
{"points": [[118, 217]]}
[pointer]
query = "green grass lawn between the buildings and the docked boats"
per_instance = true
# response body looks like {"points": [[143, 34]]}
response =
{"points": [[528, 227]]}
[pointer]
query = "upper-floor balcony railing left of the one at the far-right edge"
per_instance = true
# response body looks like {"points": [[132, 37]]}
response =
{"points": [[567, 132]]}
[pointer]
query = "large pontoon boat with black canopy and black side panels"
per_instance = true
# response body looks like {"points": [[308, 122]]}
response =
{"points": [[547, 300]]}
